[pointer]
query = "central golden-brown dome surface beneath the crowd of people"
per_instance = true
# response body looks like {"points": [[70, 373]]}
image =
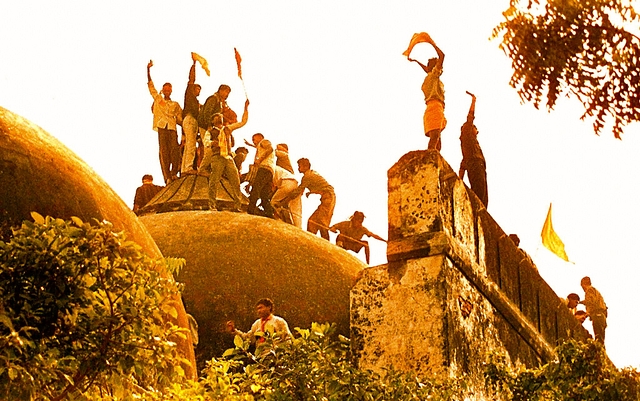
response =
{"points": [[234, 259]]}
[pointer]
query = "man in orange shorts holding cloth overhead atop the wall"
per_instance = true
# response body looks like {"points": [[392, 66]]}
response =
{"points": [[433, 89]]}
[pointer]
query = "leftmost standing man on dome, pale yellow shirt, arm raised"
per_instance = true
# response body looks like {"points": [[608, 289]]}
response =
{"points": [[167, 114]]}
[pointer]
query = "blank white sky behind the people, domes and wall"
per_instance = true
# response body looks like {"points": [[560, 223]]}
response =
{"points": [[329, 79]]}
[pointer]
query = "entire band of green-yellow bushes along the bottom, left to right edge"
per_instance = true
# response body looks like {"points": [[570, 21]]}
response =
{"points": [[83, 316]]}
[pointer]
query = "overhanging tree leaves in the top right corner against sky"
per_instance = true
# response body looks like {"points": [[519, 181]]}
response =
{"points": [[577, 47]]}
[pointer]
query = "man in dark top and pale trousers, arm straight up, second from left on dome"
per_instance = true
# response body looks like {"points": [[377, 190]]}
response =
{"points": [[190, 120]]}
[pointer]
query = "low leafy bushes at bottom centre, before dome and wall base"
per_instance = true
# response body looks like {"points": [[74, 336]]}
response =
{"points": [[313, 366]]}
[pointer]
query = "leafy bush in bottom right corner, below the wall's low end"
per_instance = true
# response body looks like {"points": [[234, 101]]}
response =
{"points": [[581, 372]]}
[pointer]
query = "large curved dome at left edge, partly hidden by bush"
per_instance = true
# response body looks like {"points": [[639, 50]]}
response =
{"points": [[38, 173]]}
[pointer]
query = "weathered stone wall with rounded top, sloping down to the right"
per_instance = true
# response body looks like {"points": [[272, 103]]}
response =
{"points": [[456, 287]]}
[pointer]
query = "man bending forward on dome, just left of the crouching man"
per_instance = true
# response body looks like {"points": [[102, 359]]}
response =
{"points": [[320, 220]]}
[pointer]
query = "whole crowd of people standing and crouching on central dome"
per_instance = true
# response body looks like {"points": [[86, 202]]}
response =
{"points": [[207, 149]]}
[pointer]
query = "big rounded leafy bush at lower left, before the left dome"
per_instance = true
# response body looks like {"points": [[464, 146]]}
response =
{"points": [[83, 312]]}
